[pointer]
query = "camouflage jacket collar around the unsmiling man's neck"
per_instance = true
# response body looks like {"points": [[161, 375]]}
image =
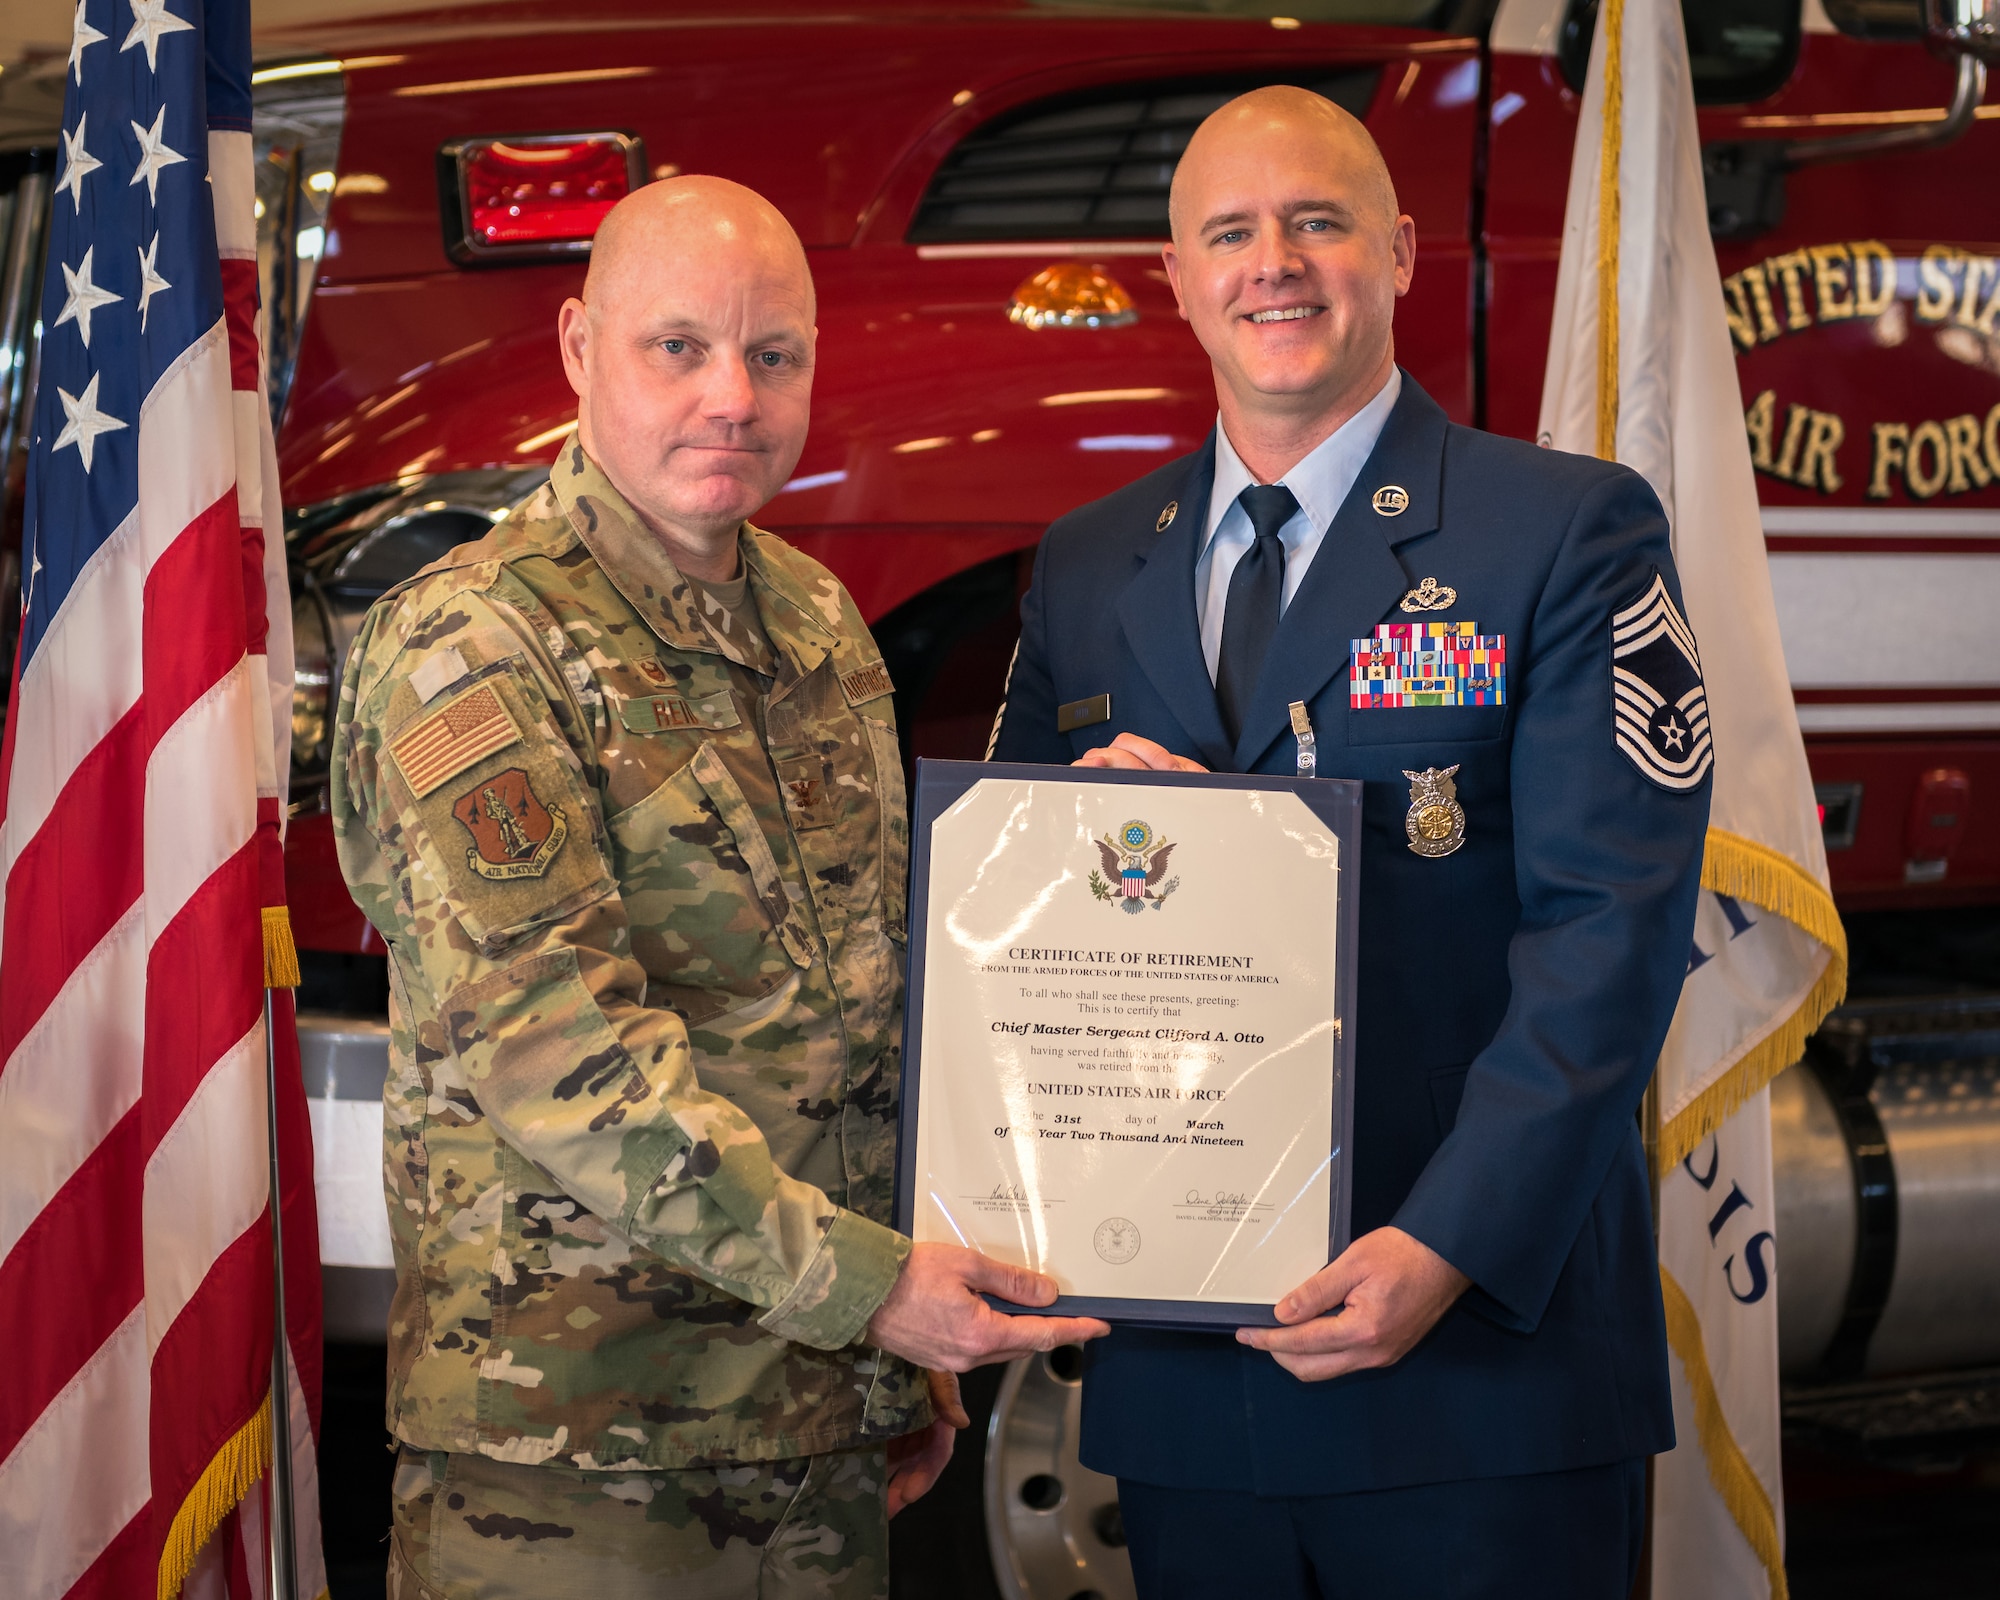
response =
{"points": [[647, 577]]}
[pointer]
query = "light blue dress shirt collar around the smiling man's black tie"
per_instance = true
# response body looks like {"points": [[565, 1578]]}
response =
{"points": [[1321, 483]]}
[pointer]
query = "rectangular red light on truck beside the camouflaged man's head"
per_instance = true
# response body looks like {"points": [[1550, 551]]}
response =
{"points": [[537, 195]]}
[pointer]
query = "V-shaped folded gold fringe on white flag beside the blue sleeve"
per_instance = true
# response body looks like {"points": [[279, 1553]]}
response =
{"points": [[1749, 871]]}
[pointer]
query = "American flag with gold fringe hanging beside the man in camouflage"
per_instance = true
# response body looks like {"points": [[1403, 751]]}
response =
{"points": [[141, 867]]}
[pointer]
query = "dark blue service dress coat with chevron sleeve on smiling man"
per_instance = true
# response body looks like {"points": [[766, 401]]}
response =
{"points": [[1513, 993]]}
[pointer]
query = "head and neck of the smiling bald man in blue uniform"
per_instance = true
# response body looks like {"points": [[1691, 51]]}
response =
{"points": [[1287, 261]]}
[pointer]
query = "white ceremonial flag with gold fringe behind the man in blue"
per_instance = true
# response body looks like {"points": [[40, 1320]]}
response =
{"points": [[1641, 369]]}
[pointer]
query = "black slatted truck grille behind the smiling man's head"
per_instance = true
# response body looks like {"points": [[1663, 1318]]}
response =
{"points": [[1089, 165]]}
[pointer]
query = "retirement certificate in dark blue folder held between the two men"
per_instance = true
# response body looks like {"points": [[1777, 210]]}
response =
{"points": [[1127, 1059]]}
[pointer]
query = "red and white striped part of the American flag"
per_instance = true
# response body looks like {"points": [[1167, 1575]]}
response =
{"points": [[135, 859]]}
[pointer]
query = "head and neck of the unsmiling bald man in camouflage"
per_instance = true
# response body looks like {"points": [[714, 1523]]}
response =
{"points": [[691, 355]]}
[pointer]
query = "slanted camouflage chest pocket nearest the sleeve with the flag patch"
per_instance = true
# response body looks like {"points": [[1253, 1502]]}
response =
{"points": [[711, 919]]}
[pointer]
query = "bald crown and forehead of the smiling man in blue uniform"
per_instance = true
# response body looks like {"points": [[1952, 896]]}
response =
{"points": [[1293, 125]]}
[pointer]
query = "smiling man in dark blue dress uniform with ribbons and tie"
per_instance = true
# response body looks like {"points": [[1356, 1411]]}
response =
{"points": [[1487, 637]]}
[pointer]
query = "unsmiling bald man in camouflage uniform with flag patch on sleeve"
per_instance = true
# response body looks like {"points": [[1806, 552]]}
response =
{"points": [[621, 789]]}
